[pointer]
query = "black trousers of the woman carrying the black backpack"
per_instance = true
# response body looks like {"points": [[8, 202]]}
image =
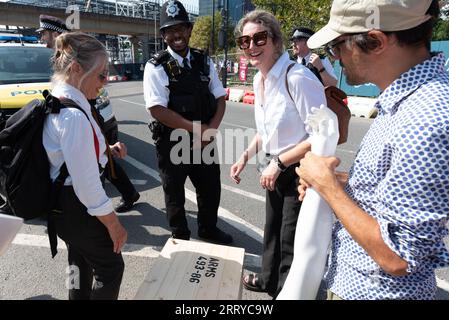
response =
{"points": [[90, 251]]}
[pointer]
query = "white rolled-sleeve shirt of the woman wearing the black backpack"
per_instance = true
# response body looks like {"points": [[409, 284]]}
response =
{"points": [[68, 137]]}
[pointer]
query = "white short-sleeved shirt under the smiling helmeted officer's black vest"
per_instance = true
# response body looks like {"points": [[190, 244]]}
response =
{"points": [[155, 82]]}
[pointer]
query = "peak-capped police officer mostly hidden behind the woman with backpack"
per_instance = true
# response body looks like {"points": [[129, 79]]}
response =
{"points": [[50, 28]]}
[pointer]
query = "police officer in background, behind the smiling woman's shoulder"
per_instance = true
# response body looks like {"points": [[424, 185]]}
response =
{"points": [[321, 66]]}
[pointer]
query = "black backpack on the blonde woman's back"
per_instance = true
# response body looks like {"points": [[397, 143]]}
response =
{"points": [[24, 167]]}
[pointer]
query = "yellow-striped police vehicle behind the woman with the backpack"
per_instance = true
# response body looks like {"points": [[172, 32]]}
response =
{"points": [[25, 73]]}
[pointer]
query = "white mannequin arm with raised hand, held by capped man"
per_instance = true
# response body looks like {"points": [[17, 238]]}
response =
{"points": [[315, 220]]}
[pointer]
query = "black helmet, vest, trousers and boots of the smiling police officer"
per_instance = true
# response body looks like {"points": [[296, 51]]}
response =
{"points": [[191, 98]]}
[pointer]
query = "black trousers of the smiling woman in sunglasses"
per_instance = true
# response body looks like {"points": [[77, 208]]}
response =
{"points": [[282, 209]]}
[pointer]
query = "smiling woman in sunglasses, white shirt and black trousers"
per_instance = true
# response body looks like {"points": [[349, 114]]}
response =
{"points": [[285, 93]]}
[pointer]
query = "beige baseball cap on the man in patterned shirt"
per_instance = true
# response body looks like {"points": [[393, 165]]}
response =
{"points": [[357, 16]]}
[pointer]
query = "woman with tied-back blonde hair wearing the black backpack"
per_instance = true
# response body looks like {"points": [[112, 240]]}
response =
{"points": [[84, 218]]}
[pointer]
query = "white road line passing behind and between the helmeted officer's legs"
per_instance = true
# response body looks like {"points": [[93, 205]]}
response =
{"points": [[238, 223]]}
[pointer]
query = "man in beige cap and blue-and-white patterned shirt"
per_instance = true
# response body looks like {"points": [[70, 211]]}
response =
{"points": [[393, 206]]}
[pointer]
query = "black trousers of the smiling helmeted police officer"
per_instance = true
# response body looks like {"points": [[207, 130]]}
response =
{"points": [[206, 180]]}
